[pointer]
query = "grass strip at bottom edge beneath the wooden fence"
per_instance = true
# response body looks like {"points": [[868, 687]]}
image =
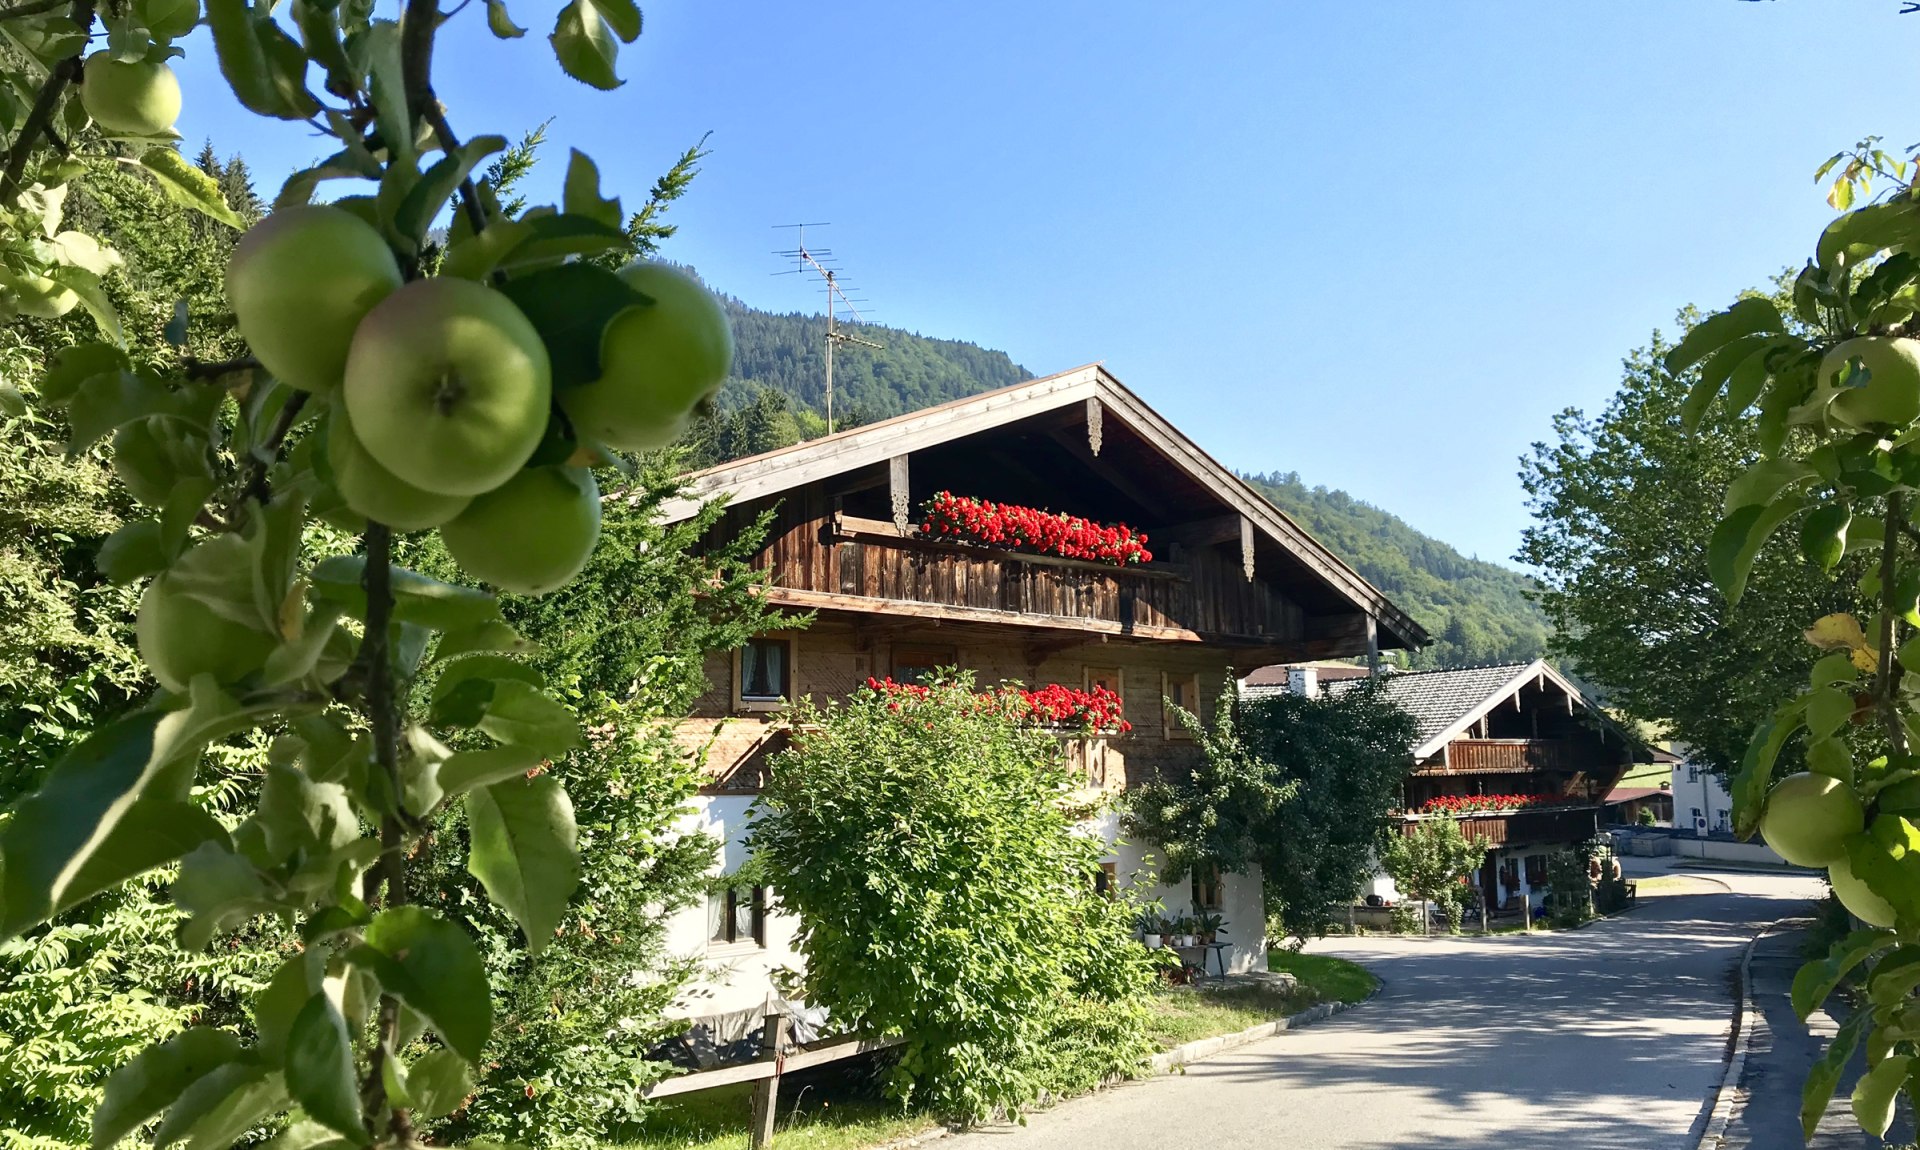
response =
{"points": [[717, 1120]]}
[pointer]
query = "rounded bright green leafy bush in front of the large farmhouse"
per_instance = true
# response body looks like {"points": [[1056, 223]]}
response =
{"points": [[948, 898]]}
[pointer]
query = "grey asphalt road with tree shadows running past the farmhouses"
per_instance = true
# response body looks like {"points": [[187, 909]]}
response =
{"points": [[1600, 1040]]}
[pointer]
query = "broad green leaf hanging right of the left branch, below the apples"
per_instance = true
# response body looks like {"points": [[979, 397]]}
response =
{"points": [[523, 851]]}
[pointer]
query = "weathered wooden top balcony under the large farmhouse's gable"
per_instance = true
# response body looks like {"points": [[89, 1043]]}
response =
{"points": [[869, 565]]}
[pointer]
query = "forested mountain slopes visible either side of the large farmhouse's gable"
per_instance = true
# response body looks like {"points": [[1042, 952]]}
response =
{"points": [[1476, 611]]}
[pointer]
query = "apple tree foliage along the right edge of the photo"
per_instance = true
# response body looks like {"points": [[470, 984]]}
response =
{"points": [[1835, 402]]}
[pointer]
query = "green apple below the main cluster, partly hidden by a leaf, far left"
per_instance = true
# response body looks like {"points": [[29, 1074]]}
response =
{"points": [[181, 636]]}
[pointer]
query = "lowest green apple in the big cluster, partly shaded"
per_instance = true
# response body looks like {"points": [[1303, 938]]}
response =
{"points": [[533, 535]]}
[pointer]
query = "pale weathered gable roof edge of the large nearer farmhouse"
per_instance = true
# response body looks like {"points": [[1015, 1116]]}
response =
{"points": [[1105, 398]]}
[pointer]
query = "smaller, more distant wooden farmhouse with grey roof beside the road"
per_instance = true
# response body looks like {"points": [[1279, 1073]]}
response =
{"points": [[1520, 757]]}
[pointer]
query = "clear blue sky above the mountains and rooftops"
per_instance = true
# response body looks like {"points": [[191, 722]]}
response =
{"points": [[1380, 245]]}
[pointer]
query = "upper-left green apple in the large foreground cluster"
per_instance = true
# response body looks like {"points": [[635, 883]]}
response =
{"points": [[300, 283]]}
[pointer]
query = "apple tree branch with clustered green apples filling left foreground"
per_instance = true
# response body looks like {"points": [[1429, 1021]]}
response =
{"points": [[400, 381]]}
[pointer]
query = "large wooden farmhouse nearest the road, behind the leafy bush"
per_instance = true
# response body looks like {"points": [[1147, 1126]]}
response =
{"points": [[1232, 585]]}
